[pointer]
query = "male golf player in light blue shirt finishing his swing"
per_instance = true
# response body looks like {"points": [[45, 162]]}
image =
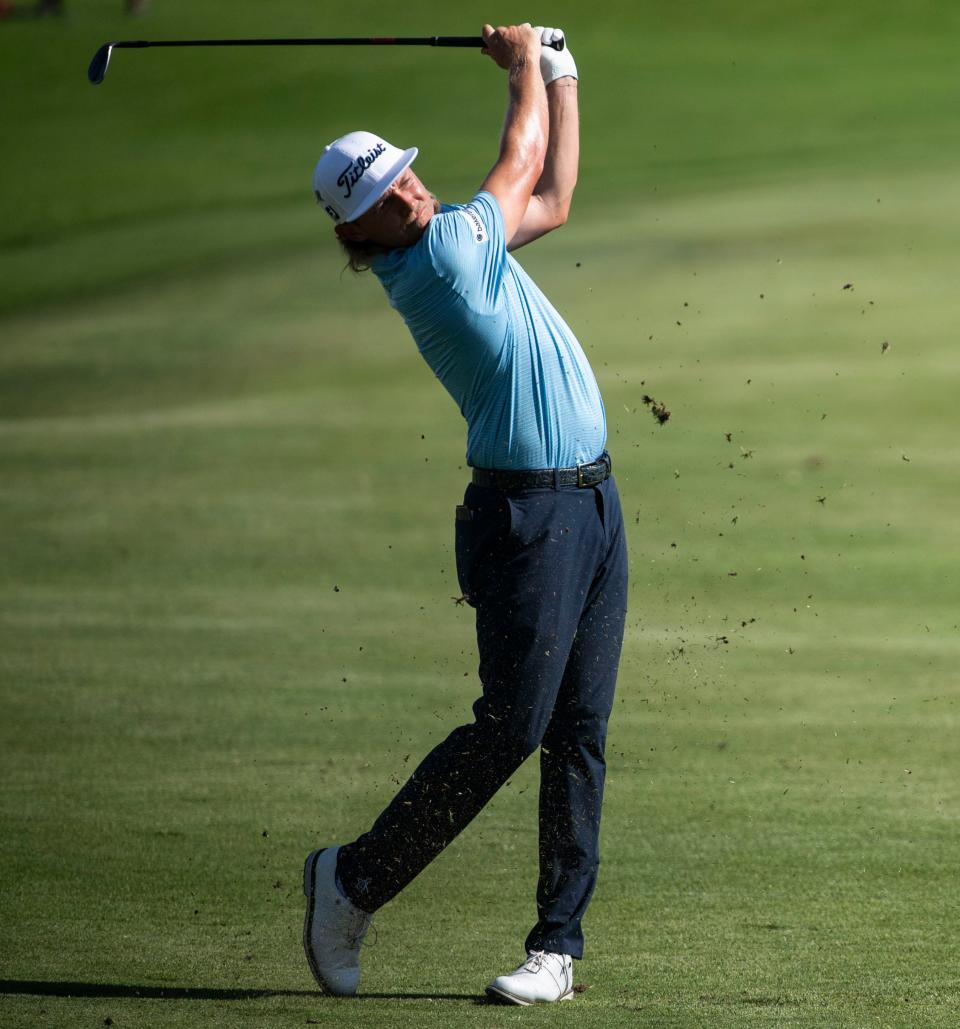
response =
{"points": [[541, 547]]}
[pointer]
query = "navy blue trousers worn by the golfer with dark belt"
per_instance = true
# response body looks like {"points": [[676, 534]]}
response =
{"points": [[547, 572]]}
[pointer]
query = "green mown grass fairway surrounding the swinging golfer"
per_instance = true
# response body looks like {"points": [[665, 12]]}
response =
{"points": [[227, 495]]}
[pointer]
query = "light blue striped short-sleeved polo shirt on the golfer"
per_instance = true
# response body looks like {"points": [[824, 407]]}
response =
{"points": [[495, 342]]}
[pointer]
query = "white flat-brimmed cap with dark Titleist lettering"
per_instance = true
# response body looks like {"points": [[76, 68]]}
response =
{"points": [[355, 171]]}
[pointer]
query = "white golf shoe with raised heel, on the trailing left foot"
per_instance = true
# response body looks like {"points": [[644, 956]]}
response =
{"points": [[334, 928]]}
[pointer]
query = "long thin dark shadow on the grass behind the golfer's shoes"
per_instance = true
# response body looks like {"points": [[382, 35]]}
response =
{"points": [[41, 988]]}
